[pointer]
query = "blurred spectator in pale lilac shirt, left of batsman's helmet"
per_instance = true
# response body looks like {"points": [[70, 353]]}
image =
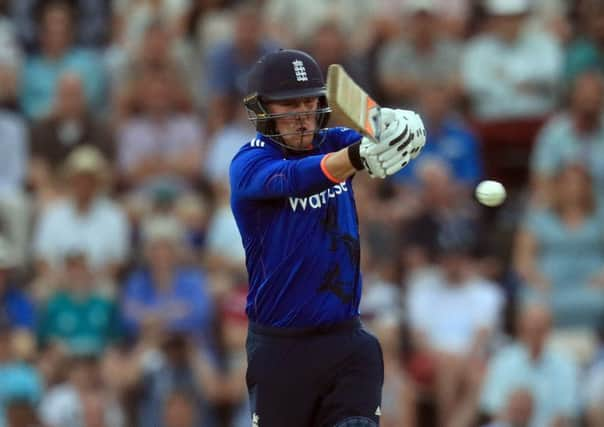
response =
{"points": [[162, 145]]}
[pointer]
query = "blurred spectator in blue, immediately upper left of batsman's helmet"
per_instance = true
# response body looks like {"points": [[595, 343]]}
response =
{"points": [[229, 62]]}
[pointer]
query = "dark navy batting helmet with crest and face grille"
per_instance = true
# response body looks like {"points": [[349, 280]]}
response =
{"points": [[281, 75]]}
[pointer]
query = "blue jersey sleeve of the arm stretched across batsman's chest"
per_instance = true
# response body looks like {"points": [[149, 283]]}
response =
{"points": [[263, 174]]}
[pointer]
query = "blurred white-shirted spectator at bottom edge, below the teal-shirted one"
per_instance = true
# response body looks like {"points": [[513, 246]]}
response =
{"points": [[69, 403]]}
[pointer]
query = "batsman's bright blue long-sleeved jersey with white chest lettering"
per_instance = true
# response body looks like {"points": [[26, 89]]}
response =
{"points": [[300, 233]]}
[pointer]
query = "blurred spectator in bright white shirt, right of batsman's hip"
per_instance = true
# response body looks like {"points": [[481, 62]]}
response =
{"points": [[454, 313]]}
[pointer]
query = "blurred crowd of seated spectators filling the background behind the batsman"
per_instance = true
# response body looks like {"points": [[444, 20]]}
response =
{"points": [[122, 280]]}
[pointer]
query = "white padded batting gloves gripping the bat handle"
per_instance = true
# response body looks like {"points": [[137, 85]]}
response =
{"points": [[402, 139]]}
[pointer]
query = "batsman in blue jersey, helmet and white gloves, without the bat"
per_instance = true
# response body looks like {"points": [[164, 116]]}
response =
{"points": [[310, 362]]}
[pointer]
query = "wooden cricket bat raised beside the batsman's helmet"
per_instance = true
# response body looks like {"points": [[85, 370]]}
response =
{"points": [[350, 106]]}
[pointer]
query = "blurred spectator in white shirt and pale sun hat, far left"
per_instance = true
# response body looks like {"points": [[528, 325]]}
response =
{"points": [[85, 218]]}
